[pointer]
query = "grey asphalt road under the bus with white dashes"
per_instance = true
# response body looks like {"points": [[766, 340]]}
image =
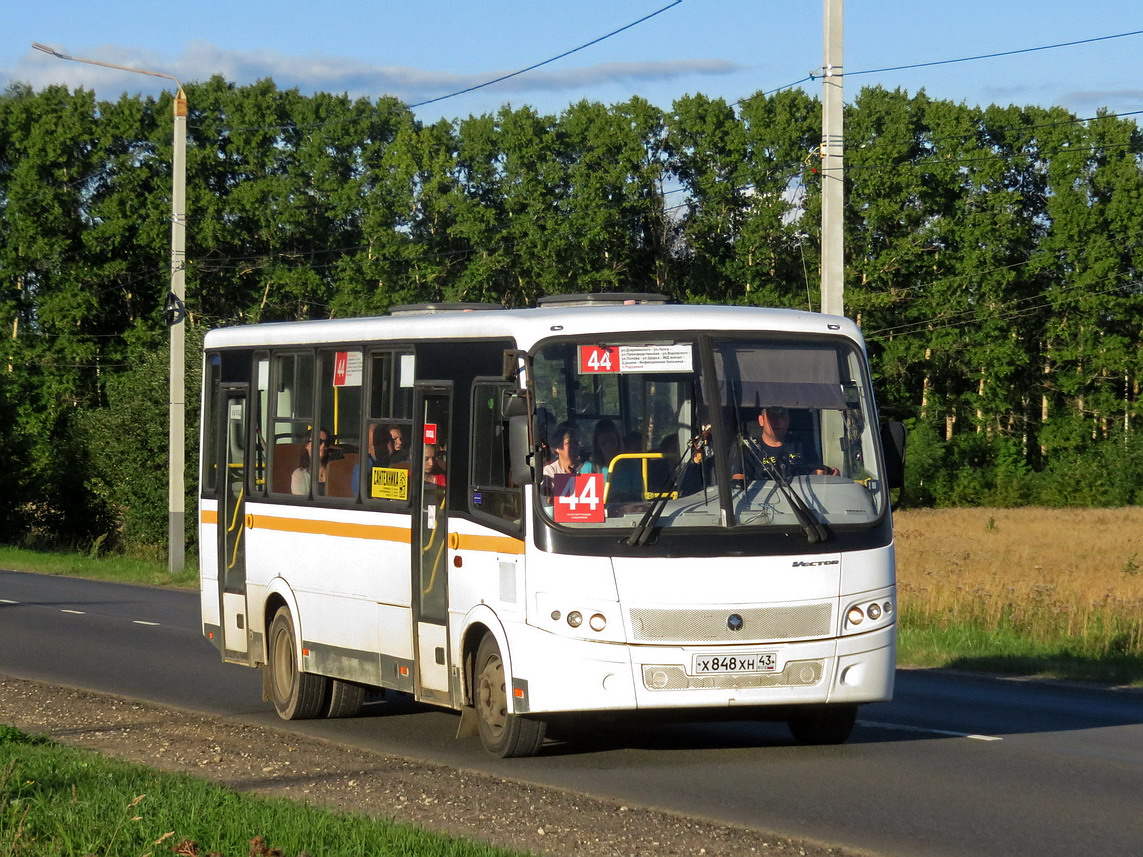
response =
{"points": [[955, 766]]}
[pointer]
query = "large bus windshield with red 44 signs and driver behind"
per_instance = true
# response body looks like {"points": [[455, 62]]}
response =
{"points": [[706, 431]]}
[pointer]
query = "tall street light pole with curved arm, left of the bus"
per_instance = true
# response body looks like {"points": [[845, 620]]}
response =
{"points": [[177, 314]]}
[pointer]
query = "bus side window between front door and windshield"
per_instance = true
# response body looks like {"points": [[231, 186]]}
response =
{"points": [[492, 491]]}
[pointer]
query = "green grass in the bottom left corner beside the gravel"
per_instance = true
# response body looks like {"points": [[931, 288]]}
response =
{"points": [[63, 803]]}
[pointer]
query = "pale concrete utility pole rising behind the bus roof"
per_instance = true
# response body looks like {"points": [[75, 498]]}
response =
{"points": [[834, 201]]}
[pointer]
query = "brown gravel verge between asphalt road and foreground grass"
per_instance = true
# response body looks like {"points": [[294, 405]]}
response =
{"points": [[475, 806]]}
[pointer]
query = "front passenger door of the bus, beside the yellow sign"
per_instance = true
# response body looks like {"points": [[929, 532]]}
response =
{"points": [[430, 543]]}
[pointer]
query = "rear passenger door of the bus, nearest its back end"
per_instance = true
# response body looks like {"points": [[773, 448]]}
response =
{"points": [[233, 524]]}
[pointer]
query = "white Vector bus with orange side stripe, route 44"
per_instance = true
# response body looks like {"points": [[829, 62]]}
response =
{"points": [[402, 504]]}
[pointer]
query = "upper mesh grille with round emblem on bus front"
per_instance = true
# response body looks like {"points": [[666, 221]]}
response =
{"points": [[757, 624]]}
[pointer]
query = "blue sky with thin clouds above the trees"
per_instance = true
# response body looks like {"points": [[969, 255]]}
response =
{"points": [[729, 49]]}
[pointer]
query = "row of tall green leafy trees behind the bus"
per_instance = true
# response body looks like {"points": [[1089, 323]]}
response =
{"points": [[994, 261]]}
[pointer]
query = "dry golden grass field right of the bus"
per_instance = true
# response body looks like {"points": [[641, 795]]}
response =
{"points": [[1066, 581]]}
